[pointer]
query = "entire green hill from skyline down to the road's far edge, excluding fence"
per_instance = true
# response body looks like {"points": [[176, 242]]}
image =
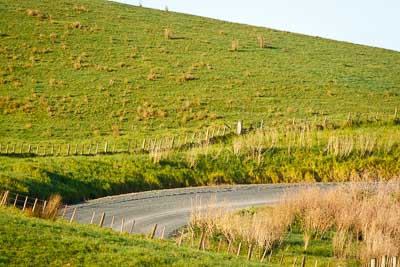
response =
{"points": [[89, 71]]}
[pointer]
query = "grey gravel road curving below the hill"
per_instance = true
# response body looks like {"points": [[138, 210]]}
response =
{"points": [[171, 208]]}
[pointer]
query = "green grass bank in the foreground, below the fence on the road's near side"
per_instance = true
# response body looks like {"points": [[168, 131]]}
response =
{"points": [[34, 242]]}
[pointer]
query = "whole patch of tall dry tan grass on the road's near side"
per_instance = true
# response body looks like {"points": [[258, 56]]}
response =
{"points": [[361, 220]]}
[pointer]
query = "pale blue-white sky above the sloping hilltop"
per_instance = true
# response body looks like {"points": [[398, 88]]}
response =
{"points": [[369, 22]]}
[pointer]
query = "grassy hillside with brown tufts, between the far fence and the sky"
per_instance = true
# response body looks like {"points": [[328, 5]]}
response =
{"points": [[73, 84]]}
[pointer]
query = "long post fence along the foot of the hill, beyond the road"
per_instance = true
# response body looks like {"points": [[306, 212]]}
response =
{"points": [[181, 142]]}
